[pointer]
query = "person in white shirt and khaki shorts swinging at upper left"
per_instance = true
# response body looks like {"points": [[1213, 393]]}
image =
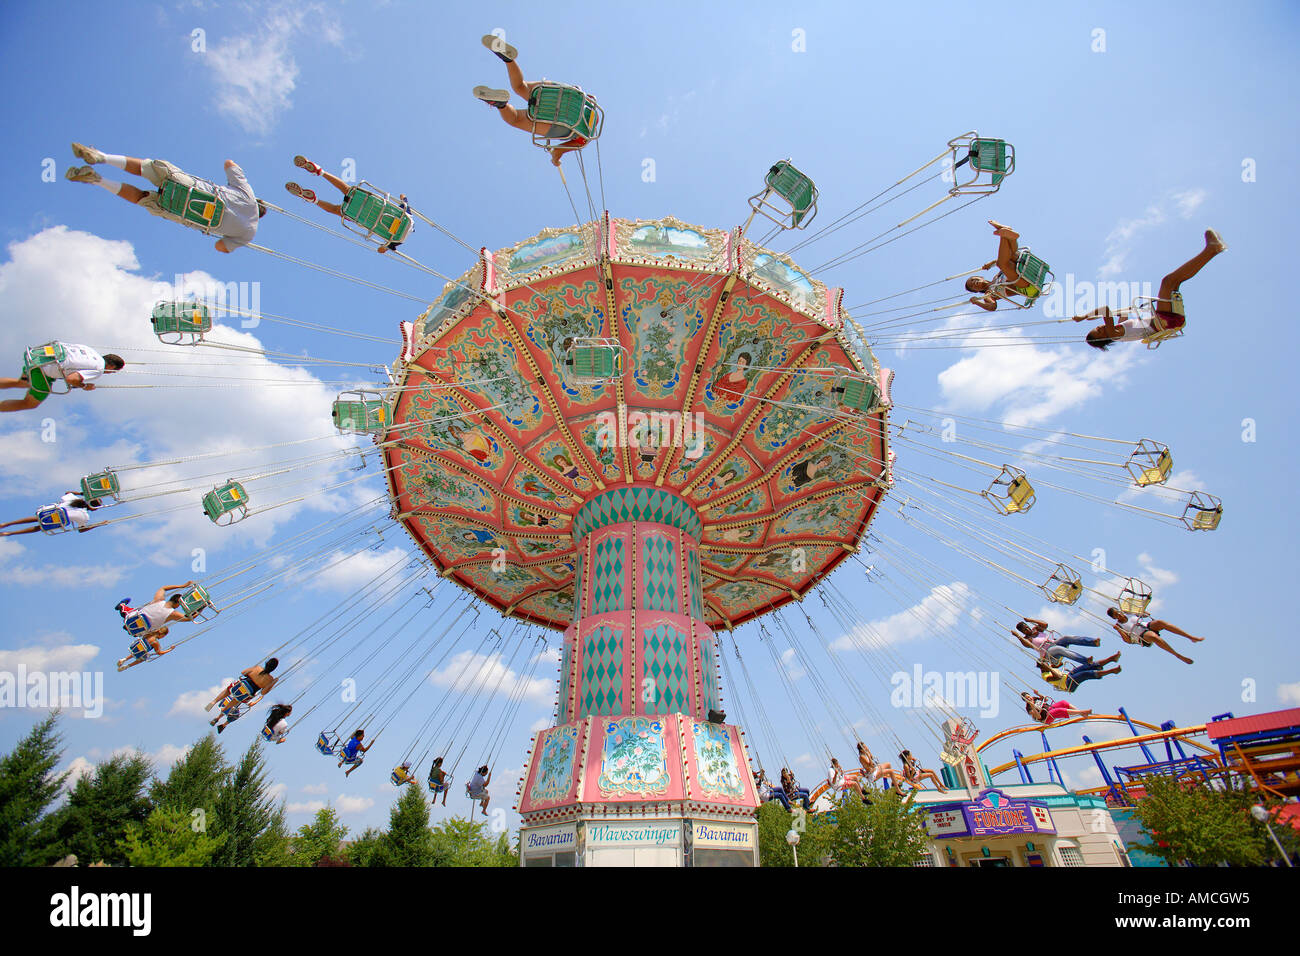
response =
{"points": [[239, 223]]}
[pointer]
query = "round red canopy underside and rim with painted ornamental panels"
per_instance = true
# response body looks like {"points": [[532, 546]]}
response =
{"points": [[638, 353]]}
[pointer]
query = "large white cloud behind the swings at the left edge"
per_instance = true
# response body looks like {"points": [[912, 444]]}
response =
{"points": [[67, 272]]}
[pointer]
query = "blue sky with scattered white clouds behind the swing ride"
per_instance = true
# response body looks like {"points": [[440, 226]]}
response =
{"points": [[1125, 157]]}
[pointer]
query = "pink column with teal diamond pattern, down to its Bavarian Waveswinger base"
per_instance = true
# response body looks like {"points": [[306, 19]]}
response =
{"points": [[635, 773]]}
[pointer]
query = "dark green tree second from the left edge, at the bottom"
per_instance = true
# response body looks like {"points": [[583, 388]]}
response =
{"points": [[99, 810]]}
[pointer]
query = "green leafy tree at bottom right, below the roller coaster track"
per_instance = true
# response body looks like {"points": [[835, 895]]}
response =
{"points": [[1190, 823]]}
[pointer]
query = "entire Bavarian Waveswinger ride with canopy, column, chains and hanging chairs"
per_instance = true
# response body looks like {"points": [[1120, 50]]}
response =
{"points": [[644, 435]]}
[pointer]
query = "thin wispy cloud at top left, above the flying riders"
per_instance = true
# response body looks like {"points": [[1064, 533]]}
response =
{"points": [[257, 73]]}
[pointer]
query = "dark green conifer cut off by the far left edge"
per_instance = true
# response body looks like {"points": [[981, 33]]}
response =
{"points": [[28, 788]]}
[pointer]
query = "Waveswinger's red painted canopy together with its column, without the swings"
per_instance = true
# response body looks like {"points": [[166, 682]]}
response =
{"points": [[528, 458]]}
